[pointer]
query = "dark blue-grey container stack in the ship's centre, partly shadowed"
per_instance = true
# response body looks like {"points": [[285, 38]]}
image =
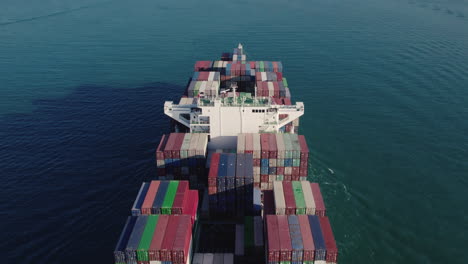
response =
{"points": [[230, 184]]}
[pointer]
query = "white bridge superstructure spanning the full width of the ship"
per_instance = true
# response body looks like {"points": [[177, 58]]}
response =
{"points": [[225, 115]]}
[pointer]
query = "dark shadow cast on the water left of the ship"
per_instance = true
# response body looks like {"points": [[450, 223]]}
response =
{"points": [[71, 169]]}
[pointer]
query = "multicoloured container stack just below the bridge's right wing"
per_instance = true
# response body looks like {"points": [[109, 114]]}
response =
{"points": [[276, 157]]}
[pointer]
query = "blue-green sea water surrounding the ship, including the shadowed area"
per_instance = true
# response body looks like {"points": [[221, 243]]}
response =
{"points": [[384, 82]]}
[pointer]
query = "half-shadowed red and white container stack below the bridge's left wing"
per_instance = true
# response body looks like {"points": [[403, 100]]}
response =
{"points": [[182, 156]]}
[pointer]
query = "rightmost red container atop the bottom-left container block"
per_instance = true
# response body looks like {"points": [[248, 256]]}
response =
{"points": [[182, 241]]}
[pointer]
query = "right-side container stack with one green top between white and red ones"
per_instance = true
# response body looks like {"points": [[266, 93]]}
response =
{"points": [[298, 197]]}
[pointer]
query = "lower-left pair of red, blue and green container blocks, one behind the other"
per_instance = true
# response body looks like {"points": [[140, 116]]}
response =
{"points": [[160, 228]]}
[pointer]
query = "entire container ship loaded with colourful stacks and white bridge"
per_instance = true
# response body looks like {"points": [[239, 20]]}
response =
{"points": [[232, 179]]}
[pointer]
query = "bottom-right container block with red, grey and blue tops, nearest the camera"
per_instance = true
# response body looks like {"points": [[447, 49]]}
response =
{"points": [[299, 239]]}
